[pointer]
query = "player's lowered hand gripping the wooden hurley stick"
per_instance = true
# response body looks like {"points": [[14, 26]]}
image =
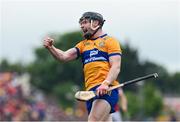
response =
{"points": [[102, 89]]}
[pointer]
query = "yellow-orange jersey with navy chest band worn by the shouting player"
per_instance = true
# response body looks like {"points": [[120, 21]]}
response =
{"points": [[95, 55]]}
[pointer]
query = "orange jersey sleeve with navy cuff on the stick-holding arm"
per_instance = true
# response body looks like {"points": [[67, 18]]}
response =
{"points": [[114, 47]]}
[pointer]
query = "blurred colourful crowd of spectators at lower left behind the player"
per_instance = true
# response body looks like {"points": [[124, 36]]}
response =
{"points": [[20, 102]]}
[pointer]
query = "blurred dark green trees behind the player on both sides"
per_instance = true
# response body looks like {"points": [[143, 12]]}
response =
{"points": [[63, 79]]}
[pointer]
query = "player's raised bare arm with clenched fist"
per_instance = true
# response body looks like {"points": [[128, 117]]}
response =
{"points": [[60, 55]]}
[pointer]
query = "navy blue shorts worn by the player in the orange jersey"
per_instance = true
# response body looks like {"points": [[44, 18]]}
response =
{"points": [[111, 98]]}
